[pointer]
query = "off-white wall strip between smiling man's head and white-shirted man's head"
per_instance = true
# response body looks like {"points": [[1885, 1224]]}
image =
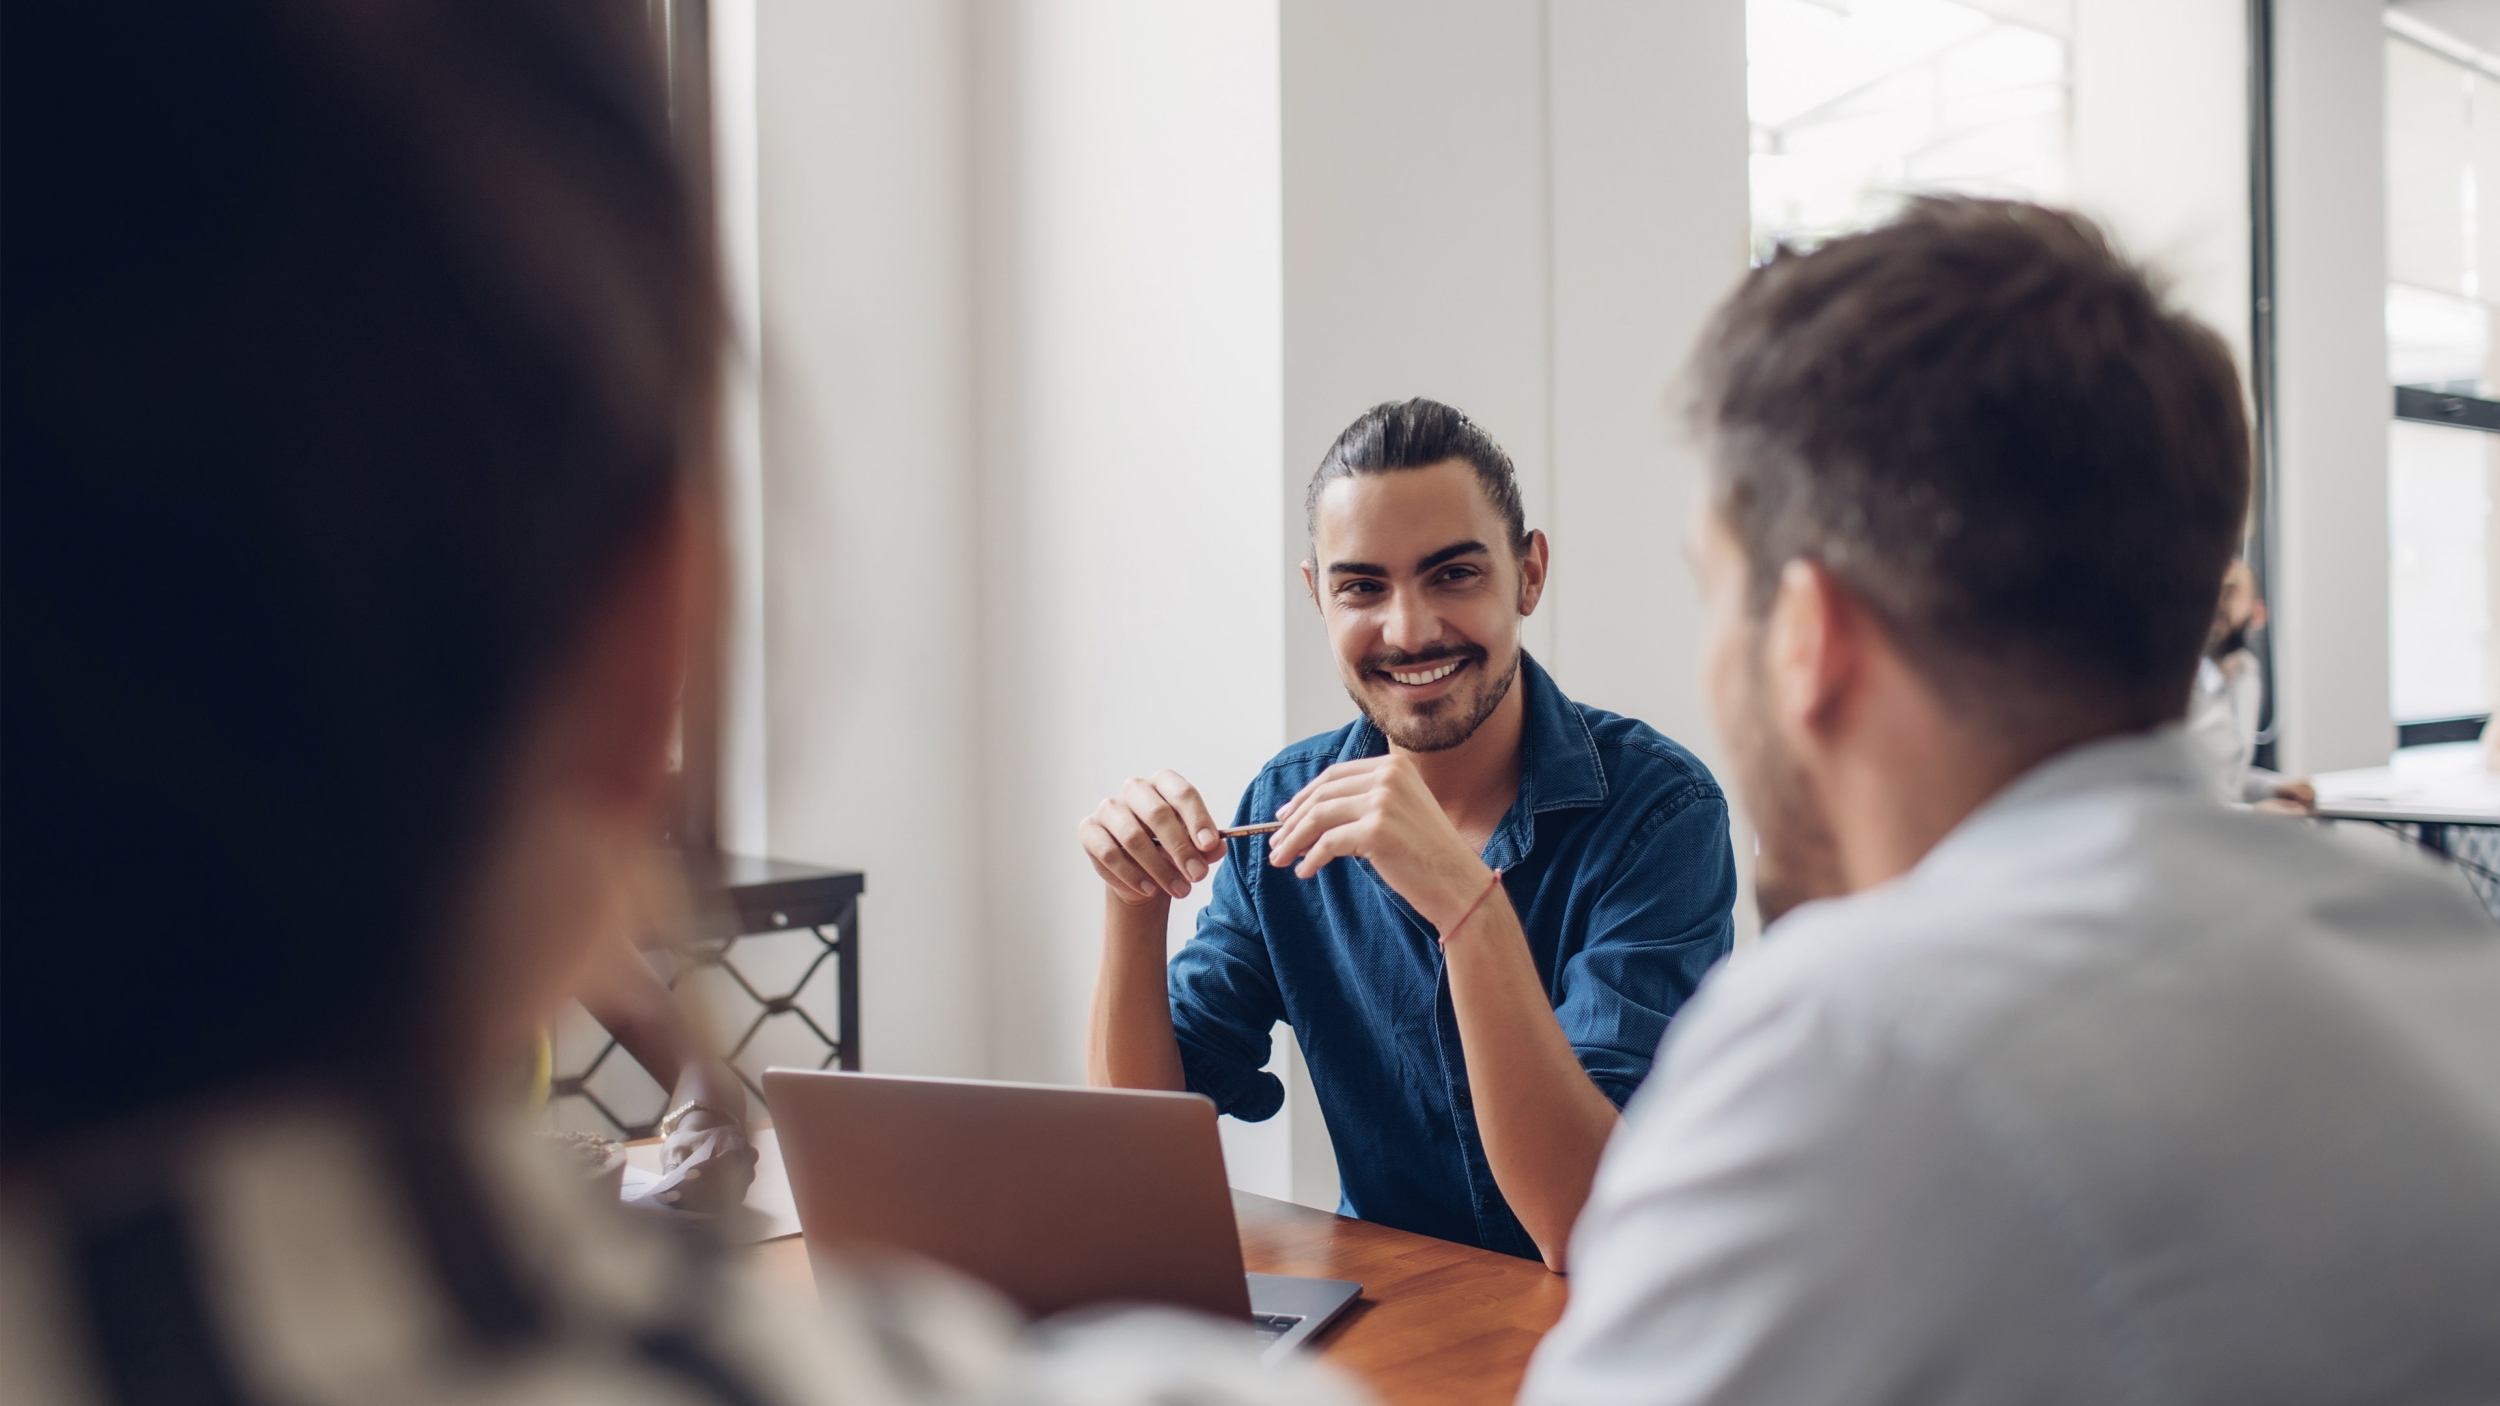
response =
{"points": [[1649, 234]]}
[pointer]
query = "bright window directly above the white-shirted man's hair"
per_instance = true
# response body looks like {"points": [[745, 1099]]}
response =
{"points": [[1859, 104]]}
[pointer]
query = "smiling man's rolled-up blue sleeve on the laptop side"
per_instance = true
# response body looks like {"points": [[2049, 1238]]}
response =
{"points": [[1226, 999]]}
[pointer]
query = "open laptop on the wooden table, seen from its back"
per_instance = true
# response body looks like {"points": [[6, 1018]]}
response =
{"points": [[1054, 1197]]}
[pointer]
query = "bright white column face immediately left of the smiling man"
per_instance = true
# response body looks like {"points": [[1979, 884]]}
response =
{"points": [[1129, 409]]}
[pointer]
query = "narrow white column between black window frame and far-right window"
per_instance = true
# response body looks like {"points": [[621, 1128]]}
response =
{"points": [[2331, 662]]}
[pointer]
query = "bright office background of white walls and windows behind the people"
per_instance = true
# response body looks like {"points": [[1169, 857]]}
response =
{"points": [[1049, 309]]}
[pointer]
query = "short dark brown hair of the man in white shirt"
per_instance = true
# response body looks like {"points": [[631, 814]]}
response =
{"points": [[1994, 429]]}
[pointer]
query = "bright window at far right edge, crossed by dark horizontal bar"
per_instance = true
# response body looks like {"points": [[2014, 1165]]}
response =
{"points": [[2444, 296]]}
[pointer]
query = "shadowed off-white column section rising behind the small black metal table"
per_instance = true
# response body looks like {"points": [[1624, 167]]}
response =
{"points": [[871, 569]]}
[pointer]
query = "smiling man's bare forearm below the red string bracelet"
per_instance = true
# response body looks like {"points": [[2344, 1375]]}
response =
{"points": [[1541, 1117]]}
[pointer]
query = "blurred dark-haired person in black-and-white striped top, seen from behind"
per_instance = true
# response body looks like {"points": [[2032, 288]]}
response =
{"points": [[356, 544]]}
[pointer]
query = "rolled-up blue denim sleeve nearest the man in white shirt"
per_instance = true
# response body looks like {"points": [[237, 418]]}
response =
{"points": [[1659, 927]]}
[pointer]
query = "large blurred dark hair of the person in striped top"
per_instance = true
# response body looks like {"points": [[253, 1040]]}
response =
{"points": [[351, 349]]}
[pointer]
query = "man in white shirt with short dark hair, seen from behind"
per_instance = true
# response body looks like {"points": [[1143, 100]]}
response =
{"points": [[2051, 1080]]}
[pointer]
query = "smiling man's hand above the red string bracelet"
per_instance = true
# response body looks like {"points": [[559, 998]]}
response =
{"points": [[1384, 812]]}
